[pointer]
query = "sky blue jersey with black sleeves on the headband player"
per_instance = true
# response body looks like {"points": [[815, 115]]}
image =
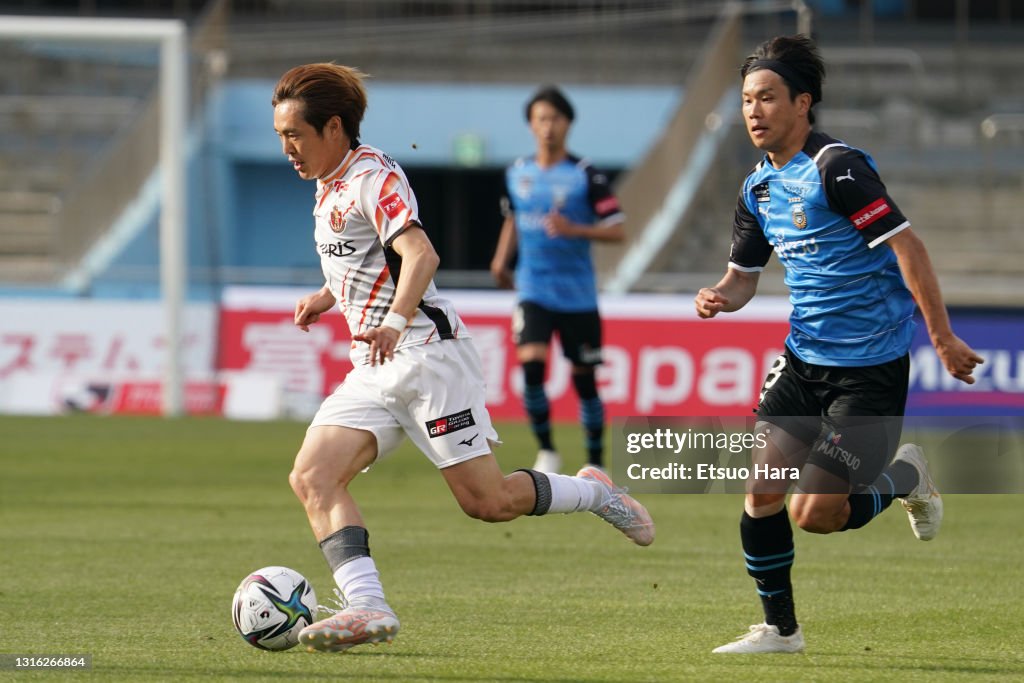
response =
{"points": [[827, 215]]}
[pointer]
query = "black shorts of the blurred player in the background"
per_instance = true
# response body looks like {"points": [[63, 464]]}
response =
{"points": [[580, 333]]}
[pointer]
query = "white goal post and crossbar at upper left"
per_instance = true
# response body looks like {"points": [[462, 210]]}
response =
{"points": [[170, 35]]}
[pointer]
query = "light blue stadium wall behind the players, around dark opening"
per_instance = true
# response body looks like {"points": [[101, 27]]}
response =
{"points": [[249, 210]]}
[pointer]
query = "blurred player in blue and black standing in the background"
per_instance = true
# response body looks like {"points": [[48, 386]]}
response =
{"points": [[556, 205]]}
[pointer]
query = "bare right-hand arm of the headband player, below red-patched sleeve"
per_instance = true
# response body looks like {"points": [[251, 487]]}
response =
{"points": [[959, 359]]}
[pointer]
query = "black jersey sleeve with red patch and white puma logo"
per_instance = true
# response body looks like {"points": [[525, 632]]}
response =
{"points": [[856, 191]]}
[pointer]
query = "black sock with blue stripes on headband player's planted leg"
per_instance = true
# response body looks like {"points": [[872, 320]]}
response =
{"points": [[770, 554]]}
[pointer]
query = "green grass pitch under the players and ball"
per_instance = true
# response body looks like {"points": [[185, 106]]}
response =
{"points": [[125, 539]]}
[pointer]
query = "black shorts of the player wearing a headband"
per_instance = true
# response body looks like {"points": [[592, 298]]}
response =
{"points": [[851, 418]]}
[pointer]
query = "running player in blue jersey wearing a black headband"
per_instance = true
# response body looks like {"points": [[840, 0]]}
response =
{"points": [[833, 403]]}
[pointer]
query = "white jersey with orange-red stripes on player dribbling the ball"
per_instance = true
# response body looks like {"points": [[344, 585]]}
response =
{"points": [[361, 208]]}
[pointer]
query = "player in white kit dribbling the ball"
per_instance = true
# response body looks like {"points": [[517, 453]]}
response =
{"points": [[416, 372]]}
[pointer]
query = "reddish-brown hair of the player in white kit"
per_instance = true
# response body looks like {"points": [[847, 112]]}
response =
{"points": [[326, 91]]}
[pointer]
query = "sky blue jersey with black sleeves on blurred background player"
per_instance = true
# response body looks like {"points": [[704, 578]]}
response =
{"points": [[558, 273]]}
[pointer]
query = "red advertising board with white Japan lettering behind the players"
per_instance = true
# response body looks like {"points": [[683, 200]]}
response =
{"points": [[659, 358]]}
